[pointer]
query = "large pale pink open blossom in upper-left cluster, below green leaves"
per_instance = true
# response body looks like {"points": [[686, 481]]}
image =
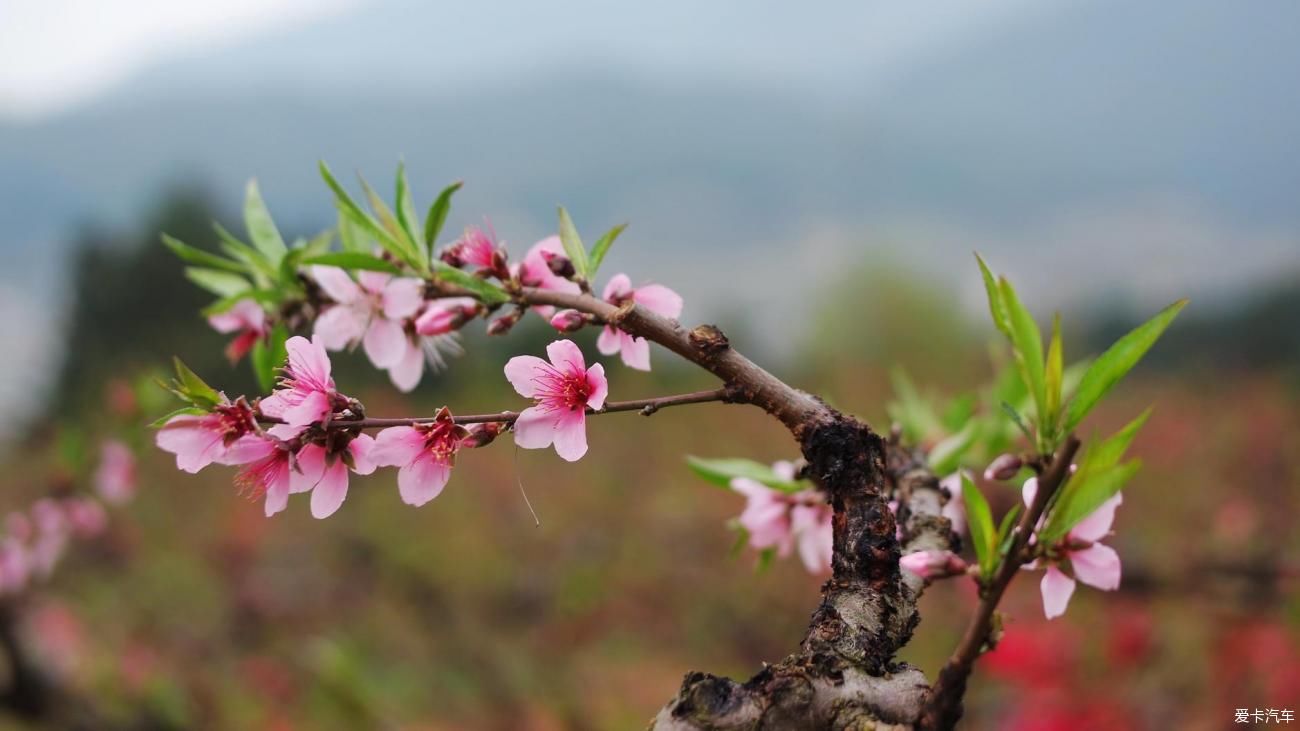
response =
{"points": [[372, 312]]}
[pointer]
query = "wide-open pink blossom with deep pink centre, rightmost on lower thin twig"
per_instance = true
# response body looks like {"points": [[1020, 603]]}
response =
{"points": [[564, 391]]}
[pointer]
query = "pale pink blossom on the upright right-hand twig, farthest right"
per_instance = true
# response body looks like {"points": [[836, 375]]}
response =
{"points": [[1078, 556]]}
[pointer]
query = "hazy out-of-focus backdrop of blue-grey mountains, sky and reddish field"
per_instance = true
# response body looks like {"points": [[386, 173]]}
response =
{"points": [[814, 180]]}
